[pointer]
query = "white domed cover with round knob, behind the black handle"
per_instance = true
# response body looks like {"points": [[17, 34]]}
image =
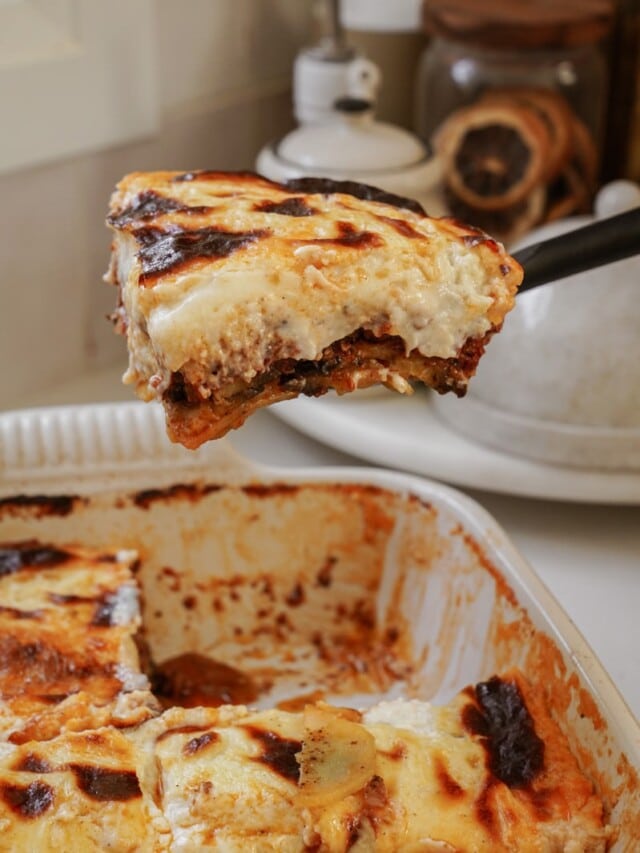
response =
{"points": [[558, 384]]}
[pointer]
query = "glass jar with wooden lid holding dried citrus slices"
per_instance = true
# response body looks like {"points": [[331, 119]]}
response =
{"points": [[512, 96]]}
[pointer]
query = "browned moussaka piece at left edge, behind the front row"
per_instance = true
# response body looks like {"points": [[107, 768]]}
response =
{"points": [[68, 658]]}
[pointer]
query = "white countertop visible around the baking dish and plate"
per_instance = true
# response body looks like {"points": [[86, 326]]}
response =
{"points": [[587, 555]]}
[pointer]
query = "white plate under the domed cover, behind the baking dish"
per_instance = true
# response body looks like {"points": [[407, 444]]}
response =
{"points": [[408, 433]]}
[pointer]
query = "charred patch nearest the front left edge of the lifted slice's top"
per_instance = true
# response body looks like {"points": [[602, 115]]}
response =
{"points": [[164, 251]]}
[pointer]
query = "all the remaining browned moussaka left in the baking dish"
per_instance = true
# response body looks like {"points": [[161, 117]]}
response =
{"points": [[488, 771]]}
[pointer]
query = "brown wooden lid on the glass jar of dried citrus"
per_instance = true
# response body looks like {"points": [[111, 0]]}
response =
{"points": [[508, 24]]}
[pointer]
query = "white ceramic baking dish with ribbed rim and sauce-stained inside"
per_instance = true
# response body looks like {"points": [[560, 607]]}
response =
{"points": [[416, 556]]}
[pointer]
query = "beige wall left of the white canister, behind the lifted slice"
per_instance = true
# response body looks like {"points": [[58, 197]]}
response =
{"points": [[221, 76]]}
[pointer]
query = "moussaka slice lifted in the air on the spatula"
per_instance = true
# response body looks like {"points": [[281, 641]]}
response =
{"points": [[237, 292]]}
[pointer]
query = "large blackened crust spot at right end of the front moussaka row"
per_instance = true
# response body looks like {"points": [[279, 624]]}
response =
{"points": [[515, 753]]}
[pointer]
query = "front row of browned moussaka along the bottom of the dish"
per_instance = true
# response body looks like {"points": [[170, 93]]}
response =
{"points": [[488, 772]]}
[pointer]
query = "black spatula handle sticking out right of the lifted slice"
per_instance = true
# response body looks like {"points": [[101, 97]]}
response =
{"points": [[595, 245]]}
